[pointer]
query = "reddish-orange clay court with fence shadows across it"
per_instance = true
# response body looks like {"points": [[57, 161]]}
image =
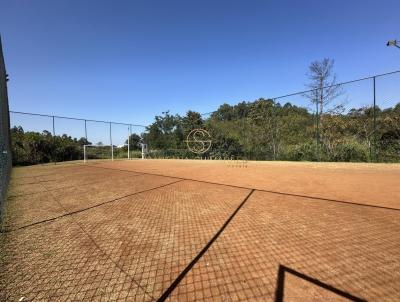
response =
{"points": [[181, 230]]}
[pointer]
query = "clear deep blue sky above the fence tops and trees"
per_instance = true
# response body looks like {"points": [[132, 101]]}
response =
{"points": [[129, 60]]}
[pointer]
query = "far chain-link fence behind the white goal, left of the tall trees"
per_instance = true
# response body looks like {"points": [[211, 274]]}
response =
{"points": [[41, 138]]}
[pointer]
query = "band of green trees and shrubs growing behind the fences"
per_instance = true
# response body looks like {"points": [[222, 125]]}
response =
{"points": [[259, 130]]}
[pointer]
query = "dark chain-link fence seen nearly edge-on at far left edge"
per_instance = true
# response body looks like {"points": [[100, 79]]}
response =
{"points": [[5, 152]]}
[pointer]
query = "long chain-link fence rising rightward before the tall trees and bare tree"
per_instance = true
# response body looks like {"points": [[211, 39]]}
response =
{"points": [[354, 121]]}
